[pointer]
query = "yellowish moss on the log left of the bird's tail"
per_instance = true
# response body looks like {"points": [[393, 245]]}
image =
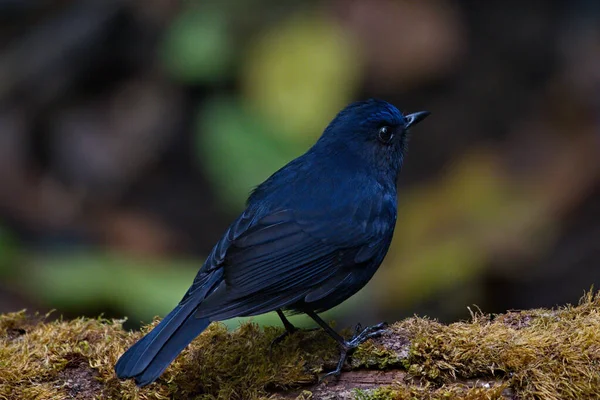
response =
{"points": [[35, 358]]}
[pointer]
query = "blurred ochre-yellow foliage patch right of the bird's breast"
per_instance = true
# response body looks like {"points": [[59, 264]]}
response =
{"points": [[438, 238]]}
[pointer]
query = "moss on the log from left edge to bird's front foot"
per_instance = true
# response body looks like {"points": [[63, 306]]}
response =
{"points": [[35, 358]]}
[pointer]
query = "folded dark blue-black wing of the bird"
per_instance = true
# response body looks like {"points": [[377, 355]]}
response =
{"points": [[278, 259]]}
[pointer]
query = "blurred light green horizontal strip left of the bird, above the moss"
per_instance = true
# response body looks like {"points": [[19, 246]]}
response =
{"points": [[102, 278]]}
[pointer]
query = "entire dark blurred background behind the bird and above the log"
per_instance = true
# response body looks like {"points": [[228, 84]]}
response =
{"points": [[131, 132]]}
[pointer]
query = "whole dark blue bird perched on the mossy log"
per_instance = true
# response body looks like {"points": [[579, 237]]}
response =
{"points": [[312, 235]]}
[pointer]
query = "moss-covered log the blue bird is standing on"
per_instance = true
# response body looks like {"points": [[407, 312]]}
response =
{"points": [[534, 354]]}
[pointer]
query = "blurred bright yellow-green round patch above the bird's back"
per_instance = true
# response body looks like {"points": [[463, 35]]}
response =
{"points": [[298, 74]]}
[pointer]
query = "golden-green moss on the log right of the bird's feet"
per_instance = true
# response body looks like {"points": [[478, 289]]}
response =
{"points": [[549, 354]]}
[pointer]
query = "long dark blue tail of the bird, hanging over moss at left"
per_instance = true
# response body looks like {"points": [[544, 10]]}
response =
{"points": [[148, 358]]}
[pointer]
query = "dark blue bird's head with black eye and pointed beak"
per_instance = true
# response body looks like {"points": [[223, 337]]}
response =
{"points": [[373, 132]]}
